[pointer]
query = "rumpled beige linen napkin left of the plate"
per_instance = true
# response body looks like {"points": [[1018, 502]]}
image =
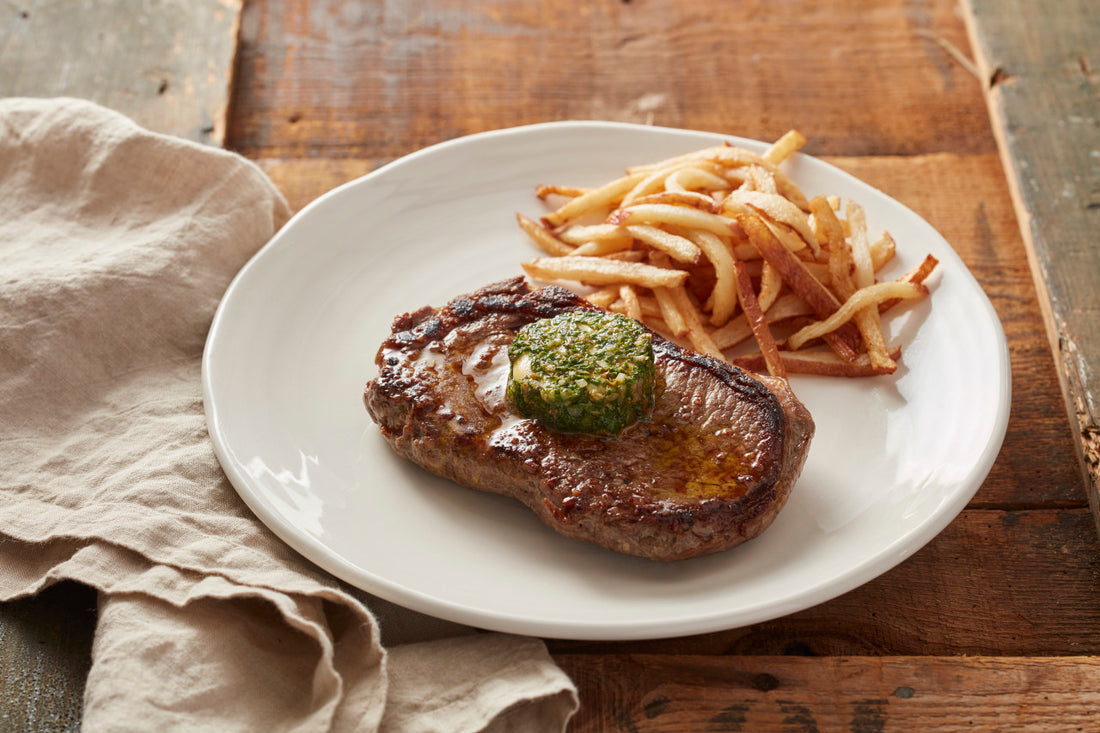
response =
{"points": [[116, 246]]}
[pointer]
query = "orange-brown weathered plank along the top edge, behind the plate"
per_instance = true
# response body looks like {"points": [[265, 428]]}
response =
{"points": [[377, 81]]}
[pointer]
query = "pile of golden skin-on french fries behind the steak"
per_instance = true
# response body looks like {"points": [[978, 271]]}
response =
{"points": [[720, 248]]}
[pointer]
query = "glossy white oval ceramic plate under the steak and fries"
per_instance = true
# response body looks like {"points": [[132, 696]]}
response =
{"points": [[895, 460]]}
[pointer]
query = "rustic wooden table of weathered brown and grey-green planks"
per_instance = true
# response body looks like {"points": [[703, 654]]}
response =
{"points": [[954, 111]]}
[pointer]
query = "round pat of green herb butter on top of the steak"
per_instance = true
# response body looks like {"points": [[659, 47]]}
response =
{"points": [[584, 373]]}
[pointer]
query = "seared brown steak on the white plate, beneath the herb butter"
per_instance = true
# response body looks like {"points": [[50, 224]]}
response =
{"points": [[711, 469]]}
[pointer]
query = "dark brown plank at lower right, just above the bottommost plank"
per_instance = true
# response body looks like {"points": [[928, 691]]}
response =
{"points": [[994, 583]]}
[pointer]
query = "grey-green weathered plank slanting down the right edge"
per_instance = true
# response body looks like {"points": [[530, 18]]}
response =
{"points": [[1042, 68]]}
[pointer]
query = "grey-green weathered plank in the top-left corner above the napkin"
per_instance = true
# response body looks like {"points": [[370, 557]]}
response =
{"points": [[166, 63]]}
